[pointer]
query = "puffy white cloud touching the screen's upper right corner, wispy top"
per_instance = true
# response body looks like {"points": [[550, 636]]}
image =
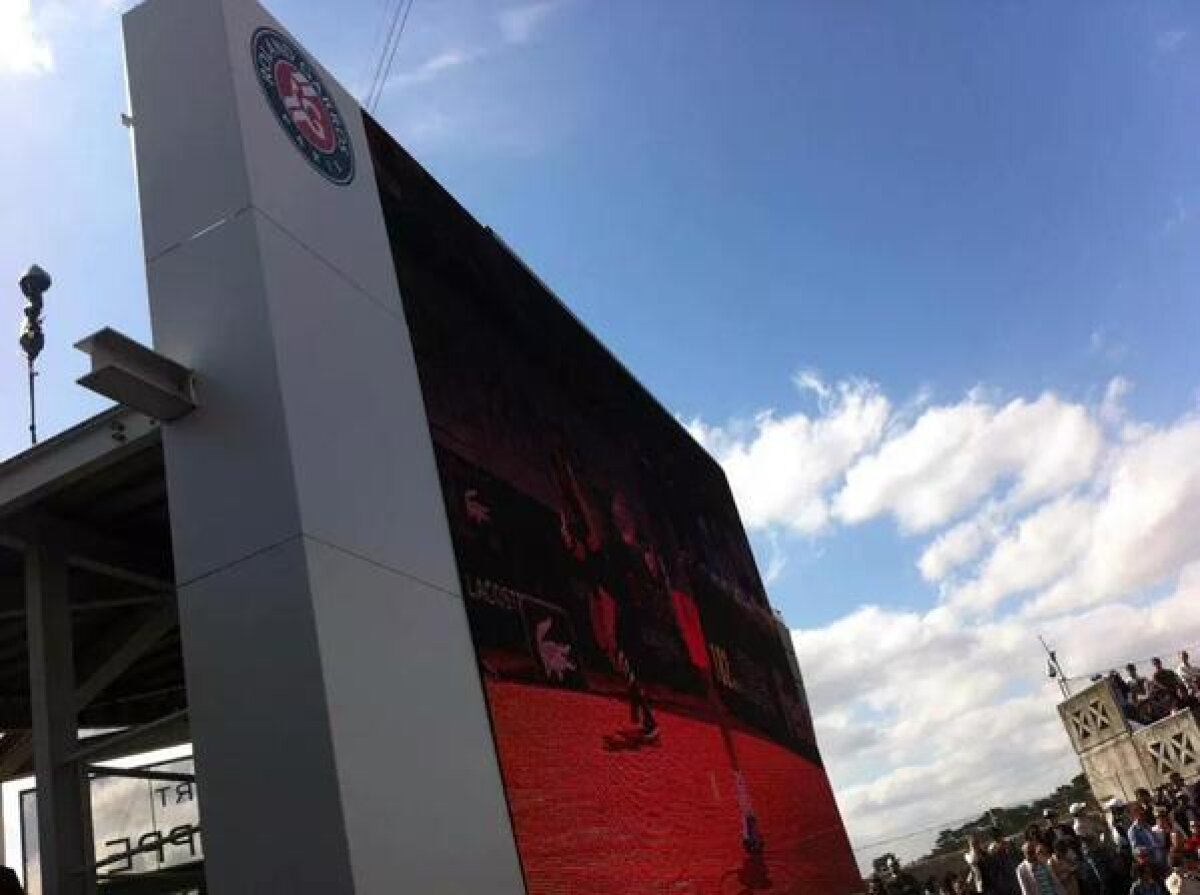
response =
{"points": [[782, 467]]}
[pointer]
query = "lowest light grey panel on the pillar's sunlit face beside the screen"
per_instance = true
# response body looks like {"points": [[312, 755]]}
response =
{"points": [[421, 782]]}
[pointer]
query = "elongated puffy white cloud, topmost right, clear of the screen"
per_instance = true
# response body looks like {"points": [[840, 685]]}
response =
{"points": [[953, 456]]}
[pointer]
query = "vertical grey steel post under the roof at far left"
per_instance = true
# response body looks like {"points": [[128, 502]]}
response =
{"points": [[64, 809]]}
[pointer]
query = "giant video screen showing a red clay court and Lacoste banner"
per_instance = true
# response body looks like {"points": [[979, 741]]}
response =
{"points": [[651, 726]]}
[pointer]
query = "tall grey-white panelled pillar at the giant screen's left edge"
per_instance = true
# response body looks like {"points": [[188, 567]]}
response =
{"points": [[343, 742]]}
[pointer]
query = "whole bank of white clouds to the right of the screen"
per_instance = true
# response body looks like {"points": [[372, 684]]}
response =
{"points": [[1037, 516]]}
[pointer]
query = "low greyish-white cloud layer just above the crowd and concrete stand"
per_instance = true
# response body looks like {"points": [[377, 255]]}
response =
{"points": [[923, 718]]}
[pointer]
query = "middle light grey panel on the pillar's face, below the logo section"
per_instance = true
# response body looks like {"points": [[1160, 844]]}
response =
{"points": [[364, 464]]}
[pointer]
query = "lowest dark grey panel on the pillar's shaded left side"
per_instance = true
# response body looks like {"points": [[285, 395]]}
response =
{"points": [[272, 808]]}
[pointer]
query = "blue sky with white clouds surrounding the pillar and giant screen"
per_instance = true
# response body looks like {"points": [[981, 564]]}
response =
{"points": [[973, 226]]}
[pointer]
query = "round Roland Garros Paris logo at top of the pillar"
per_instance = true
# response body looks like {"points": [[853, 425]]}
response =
{"points": [[303, 106]]}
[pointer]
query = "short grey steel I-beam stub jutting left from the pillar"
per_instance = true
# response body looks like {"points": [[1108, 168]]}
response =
{"points": [[137, 377]]}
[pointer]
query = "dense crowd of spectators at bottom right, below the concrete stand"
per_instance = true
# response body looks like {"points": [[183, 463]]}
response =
{"points": [[1148, 848]]}
